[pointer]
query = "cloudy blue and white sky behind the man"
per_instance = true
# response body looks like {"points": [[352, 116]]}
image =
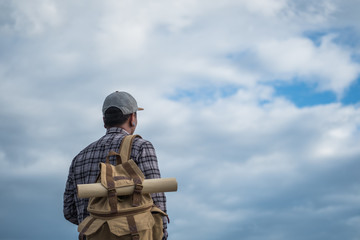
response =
{"points": [[253, 106]]}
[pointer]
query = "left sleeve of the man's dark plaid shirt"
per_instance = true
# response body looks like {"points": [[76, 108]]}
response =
{"points": [[69, 209]]}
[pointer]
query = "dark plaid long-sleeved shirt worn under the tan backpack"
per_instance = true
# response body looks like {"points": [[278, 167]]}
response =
{"points": [[85, 169]]}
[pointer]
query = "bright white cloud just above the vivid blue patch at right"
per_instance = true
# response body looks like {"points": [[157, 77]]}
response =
{"points": [[328, 65]]}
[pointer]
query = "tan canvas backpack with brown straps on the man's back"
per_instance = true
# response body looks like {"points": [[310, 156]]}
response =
{"points": [[132, 217]]}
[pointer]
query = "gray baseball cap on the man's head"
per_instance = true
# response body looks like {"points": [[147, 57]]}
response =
{"points": [[121, 100]]}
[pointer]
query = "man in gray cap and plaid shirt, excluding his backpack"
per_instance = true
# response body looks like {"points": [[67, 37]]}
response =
{"points": [[120, 119]]}
